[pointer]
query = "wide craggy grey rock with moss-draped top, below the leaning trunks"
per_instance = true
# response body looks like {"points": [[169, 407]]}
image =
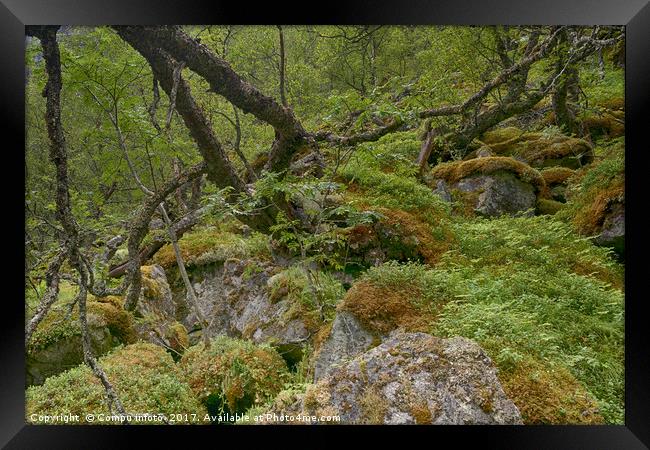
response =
{"points": [[265, 303]]}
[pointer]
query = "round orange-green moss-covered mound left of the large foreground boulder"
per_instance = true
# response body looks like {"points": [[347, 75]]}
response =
{"points": [[233, 375]]}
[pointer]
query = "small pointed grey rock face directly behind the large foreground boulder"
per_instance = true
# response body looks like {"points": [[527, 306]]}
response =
{"points": [[346, 340]]}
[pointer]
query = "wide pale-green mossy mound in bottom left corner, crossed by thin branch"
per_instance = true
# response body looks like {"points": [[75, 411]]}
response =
{"points": [[144, 377]]}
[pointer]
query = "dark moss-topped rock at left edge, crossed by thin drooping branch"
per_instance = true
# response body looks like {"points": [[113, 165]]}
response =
{"points": [[56, 346]]}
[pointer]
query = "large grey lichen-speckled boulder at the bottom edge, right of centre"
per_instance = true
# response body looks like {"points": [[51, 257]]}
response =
{"points": [[411, 378]]}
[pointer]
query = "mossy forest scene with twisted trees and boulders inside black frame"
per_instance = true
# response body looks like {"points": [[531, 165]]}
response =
{"points": [[324, 225]]}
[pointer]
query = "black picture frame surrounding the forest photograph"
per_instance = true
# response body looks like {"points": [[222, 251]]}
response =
{"points": [[635, 14]]}
